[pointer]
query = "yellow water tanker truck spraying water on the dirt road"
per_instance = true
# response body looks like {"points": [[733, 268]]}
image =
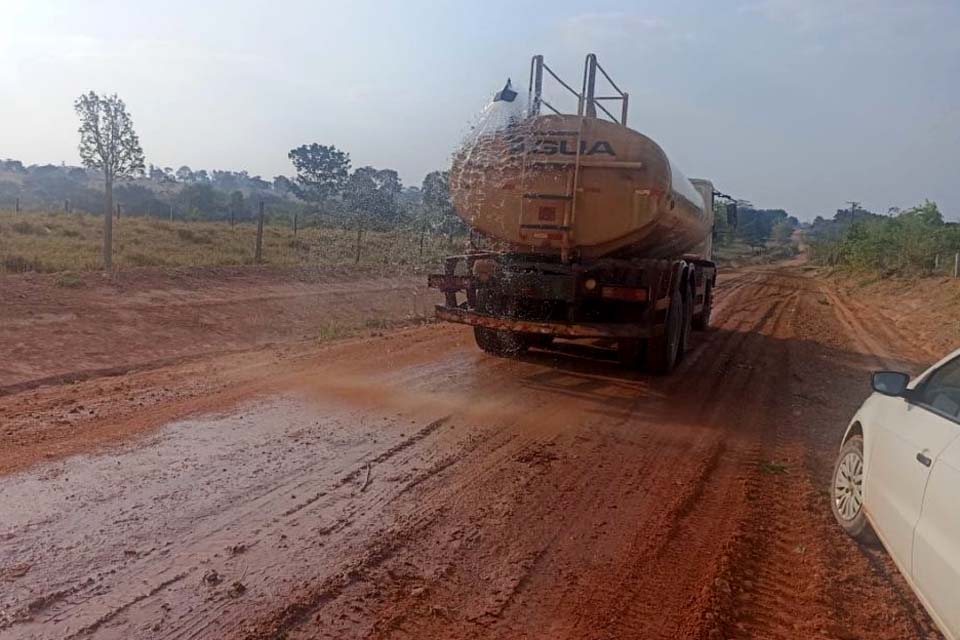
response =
{"points": [[590, 231]]}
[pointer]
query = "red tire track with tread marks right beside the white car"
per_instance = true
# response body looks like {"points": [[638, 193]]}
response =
{"points": [[791, 574]]}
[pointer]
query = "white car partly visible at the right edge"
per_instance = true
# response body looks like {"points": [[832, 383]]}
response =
{"points": [[899, 470]]}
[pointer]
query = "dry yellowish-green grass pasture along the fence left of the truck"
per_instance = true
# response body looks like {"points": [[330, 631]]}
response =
{"points": [[44, 242]]}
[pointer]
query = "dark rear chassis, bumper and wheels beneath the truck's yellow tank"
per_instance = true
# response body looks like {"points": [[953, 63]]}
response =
{"points": [[515, 301]]}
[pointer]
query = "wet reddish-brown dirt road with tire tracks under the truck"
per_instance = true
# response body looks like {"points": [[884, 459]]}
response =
{"points": [[409, 486]]}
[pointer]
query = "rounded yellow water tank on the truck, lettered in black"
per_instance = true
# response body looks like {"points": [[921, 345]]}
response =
{"points": [[563, 183]]}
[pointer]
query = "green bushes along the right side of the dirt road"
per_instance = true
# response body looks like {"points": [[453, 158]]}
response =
{"points": [[913, 242]]}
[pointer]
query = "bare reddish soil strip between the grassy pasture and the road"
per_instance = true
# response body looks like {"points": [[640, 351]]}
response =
{"points": [[56, 328]]}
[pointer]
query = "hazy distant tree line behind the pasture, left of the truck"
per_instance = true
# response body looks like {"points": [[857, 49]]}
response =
{"points": [[220, 195]]}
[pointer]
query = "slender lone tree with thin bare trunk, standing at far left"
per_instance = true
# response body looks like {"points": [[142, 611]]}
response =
{"points": [[108, 143]]}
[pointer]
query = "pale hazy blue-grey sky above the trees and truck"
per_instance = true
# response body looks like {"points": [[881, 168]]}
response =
{"points": [[794, 104]]}
